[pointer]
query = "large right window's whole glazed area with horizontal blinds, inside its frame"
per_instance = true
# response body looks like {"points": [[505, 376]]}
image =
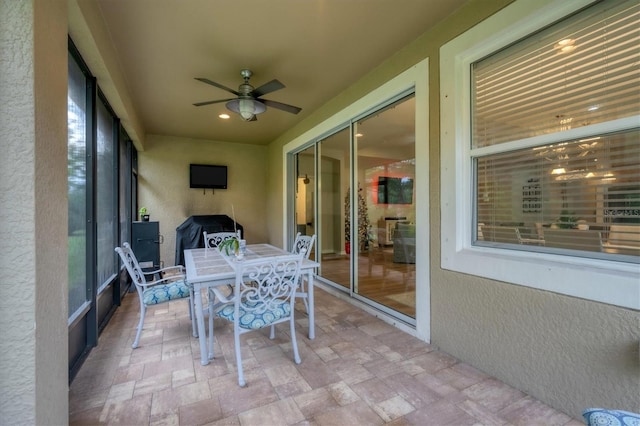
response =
{"points": [[578, 194]]}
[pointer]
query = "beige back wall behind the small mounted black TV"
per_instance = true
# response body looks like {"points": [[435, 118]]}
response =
{"points": [[164, 186]]}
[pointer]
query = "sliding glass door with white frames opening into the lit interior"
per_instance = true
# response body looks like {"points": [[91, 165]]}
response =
{"points": [[362, 208]]}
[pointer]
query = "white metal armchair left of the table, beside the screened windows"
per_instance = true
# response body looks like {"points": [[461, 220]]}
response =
{"points": [[162, 290]]}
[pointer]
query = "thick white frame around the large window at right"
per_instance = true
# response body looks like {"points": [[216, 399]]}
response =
{"points": [[612, 282]]}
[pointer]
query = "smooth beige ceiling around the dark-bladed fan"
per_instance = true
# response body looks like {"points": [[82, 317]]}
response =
{"points": [[316, 48]]}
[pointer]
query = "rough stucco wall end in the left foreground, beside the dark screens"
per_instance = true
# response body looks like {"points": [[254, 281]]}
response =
{"points": [[33, 219]]}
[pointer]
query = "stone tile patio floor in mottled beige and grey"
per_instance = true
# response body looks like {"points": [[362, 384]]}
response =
{"points": [[357, 371]]}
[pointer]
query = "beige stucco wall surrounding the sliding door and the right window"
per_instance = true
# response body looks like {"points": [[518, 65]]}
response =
{"points": [[568, 352]]}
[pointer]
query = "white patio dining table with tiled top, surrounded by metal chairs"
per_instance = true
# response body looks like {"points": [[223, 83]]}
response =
{"points": [[209, 268]]}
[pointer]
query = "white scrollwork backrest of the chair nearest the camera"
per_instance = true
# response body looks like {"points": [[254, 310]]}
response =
{"points": [[265, 285]]}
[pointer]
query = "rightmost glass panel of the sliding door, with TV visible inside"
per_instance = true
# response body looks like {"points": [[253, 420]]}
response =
{"points": [[385, 214]]}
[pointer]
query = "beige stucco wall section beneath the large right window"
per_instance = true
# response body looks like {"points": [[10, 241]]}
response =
{"points": [[571, 353]]}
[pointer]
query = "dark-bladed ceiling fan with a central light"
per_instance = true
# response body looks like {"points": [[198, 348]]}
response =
{"points": [[248, 102]]}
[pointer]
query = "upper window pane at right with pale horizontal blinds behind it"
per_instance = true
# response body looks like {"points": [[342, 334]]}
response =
{"points": [[581, 71]]}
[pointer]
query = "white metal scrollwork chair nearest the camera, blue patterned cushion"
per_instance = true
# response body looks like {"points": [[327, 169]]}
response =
{"points": [[264, 295]]}
